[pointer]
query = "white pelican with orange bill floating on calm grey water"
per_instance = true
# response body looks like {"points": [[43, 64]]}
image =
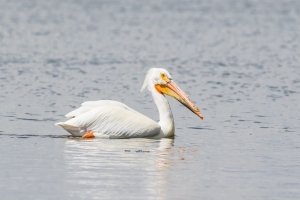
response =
{"points": [[112, 119]]}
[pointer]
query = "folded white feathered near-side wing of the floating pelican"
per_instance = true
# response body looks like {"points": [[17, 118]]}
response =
{"points": [[115, 120]]}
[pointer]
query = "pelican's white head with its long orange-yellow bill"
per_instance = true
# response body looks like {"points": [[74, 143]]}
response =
{"points": [[161, 80]]}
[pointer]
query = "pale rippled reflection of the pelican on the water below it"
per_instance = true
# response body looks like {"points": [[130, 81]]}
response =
{"points": [[107, 168]]}
